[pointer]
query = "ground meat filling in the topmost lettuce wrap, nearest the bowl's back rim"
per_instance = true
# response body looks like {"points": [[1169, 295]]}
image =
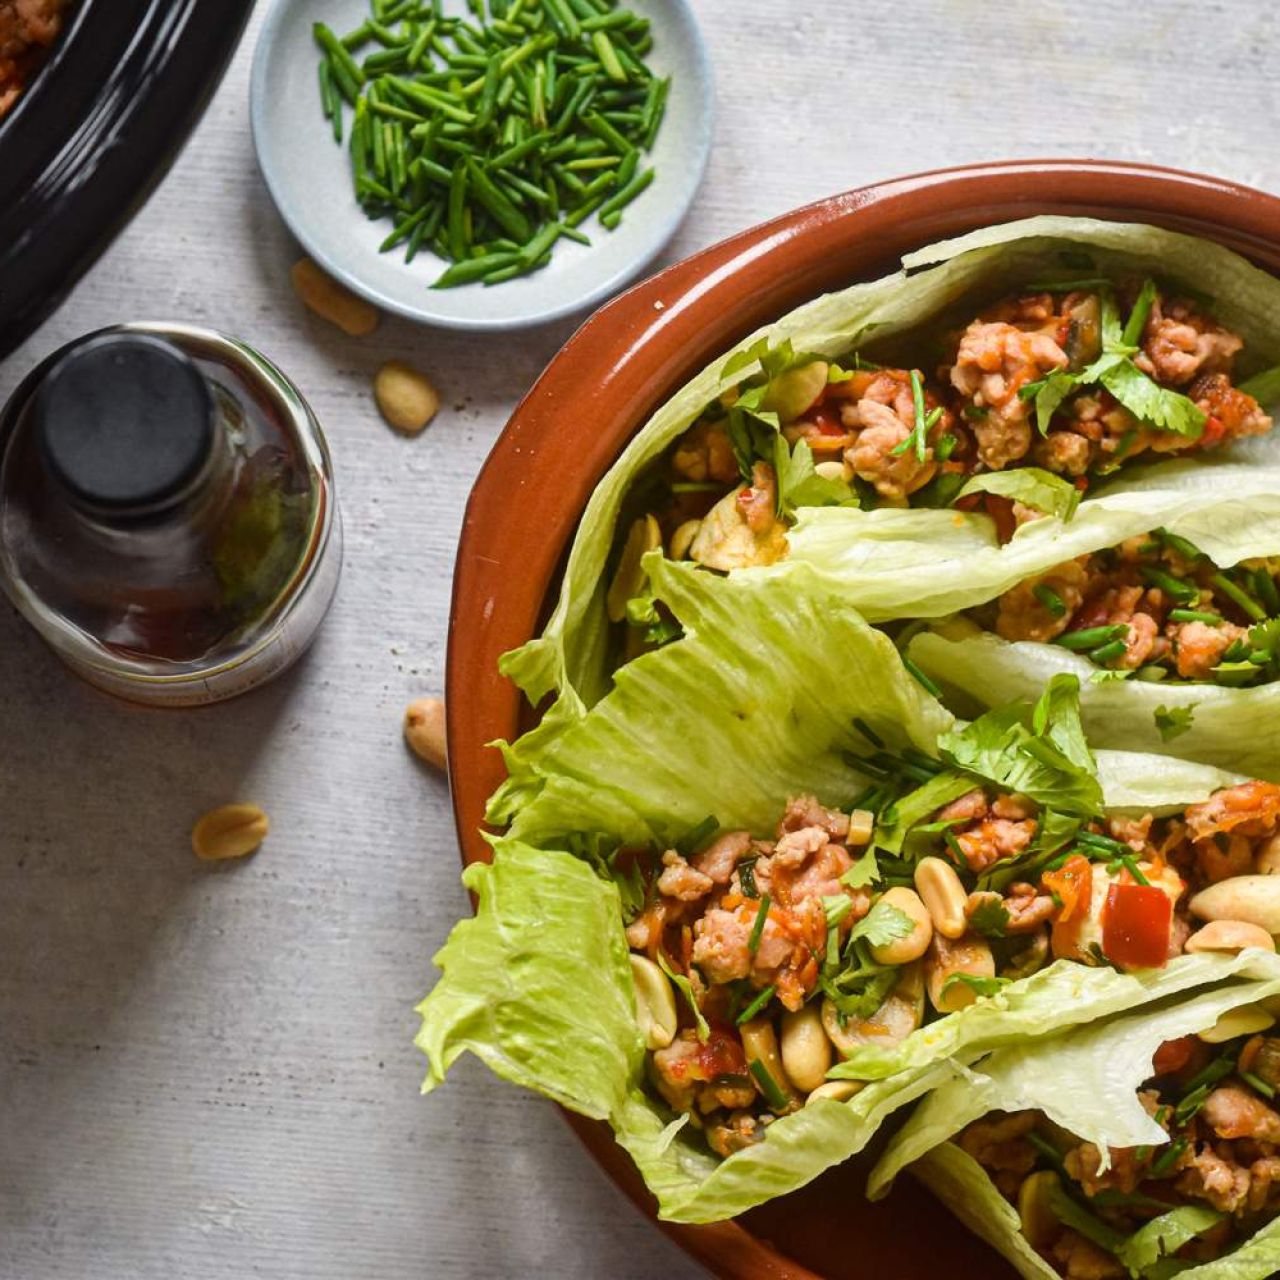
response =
{"points": [[895, 436]]}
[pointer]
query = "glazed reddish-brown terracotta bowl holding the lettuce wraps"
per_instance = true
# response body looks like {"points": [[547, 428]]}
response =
{"points": [[569, 429]]}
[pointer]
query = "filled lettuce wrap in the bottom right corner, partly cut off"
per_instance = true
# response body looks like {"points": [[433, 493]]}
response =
{"points": [[1085, 1089]]}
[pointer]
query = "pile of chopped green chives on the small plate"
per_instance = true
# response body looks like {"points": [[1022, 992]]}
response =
{"points": [[490, 140]]}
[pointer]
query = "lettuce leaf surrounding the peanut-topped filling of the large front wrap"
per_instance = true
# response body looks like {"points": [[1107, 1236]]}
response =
{"points": [[775, 688]]}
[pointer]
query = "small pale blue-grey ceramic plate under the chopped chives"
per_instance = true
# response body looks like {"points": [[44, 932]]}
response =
{"points": [[309, 177]]}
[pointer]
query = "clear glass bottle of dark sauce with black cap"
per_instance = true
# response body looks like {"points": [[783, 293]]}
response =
{"points": [[168, 519]]}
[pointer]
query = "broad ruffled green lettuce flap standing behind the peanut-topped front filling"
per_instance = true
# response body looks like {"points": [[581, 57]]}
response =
{"points": [[756, 703]]}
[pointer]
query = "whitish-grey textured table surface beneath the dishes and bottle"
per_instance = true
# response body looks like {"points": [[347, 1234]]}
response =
{"points": [[209, 1073]]}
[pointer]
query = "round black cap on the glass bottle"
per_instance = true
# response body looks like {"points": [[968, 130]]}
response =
{"points": [[126, 423]]}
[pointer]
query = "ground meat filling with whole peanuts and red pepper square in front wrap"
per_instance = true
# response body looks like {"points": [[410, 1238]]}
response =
{"points": [[767, 931]]}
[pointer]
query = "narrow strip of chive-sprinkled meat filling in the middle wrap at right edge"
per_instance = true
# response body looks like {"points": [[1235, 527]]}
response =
{"points": [[1154, 606]]}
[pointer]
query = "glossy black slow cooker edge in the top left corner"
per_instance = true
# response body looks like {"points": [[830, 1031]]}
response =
{"points": [[94, 134]]}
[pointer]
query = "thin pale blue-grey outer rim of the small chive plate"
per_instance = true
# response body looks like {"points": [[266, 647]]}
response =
{"points": [[301, 227]]}
